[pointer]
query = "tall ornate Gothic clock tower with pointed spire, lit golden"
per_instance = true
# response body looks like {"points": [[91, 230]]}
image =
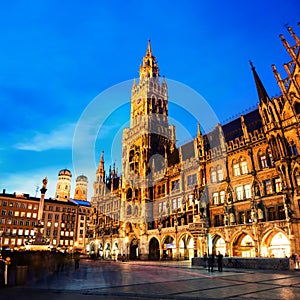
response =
{"points": [[146, 145]]}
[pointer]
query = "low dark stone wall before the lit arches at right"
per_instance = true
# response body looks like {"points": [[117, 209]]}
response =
{"points": [[251, 263]]}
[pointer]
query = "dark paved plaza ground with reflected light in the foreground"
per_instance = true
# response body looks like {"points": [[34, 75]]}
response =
{"points": [[156, 280]]}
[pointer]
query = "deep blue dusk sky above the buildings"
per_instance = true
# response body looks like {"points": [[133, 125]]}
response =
{"points": [[57, 56]]}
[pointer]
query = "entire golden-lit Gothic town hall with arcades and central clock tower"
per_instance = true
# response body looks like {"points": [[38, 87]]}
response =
{"points": [[235, 189]]}
